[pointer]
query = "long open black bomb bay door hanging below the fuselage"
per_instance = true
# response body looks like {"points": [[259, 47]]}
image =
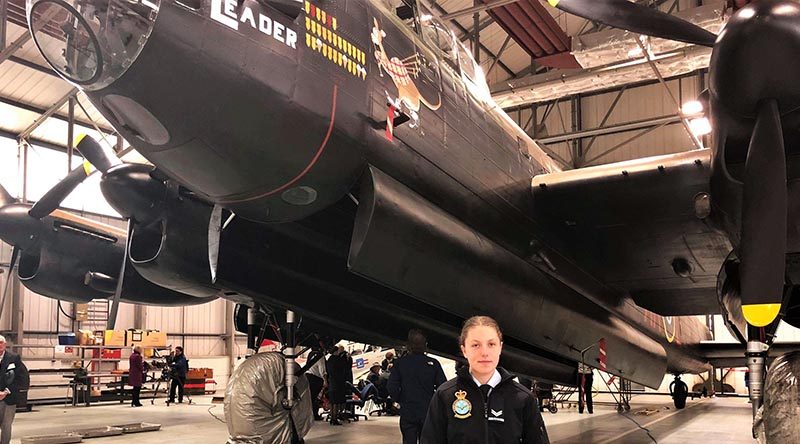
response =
{"points": [[404, 242]]}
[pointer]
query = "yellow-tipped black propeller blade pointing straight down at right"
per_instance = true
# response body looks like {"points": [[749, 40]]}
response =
{"points": [[764, 212]]}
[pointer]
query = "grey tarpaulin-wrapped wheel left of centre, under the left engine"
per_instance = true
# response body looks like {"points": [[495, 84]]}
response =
{"points": [[253, 409]]}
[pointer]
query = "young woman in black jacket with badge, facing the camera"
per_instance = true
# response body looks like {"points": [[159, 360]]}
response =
{"points": [[483, 404]]}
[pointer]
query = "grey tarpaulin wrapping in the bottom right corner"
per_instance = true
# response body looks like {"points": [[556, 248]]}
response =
{"points": [[776, 420]]}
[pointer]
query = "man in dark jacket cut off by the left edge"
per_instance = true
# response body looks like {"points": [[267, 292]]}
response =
{"points": [[14, 383]]}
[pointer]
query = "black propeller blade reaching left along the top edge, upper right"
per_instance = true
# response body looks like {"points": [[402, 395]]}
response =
{"points": [[637, 18]]}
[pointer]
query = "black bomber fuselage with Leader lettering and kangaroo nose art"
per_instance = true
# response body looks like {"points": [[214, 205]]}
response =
{"points": [[283, 114]]}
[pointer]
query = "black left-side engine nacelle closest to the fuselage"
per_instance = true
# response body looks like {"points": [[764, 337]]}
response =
{"points": [[174, 251]]}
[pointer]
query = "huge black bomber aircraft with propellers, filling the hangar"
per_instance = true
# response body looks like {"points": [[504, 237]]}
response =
{"points": [[344, 159]]}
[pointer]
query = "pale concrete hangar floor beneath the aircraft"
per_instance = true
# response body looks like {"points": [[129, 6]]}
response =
{"points": [[714, 420]]}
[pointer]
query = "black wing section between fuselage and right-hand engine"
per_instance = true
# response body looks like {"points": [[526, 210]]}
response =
{"points": [[640, 227]]}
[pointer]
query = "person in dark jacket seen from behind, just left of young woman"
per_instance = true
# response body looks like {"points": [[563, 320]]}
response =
{"points": [[412, 382]]}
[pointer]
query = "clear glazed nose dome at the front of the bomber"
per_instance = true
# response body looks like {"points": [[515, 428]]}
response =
{"points": [[91, 43]]}
